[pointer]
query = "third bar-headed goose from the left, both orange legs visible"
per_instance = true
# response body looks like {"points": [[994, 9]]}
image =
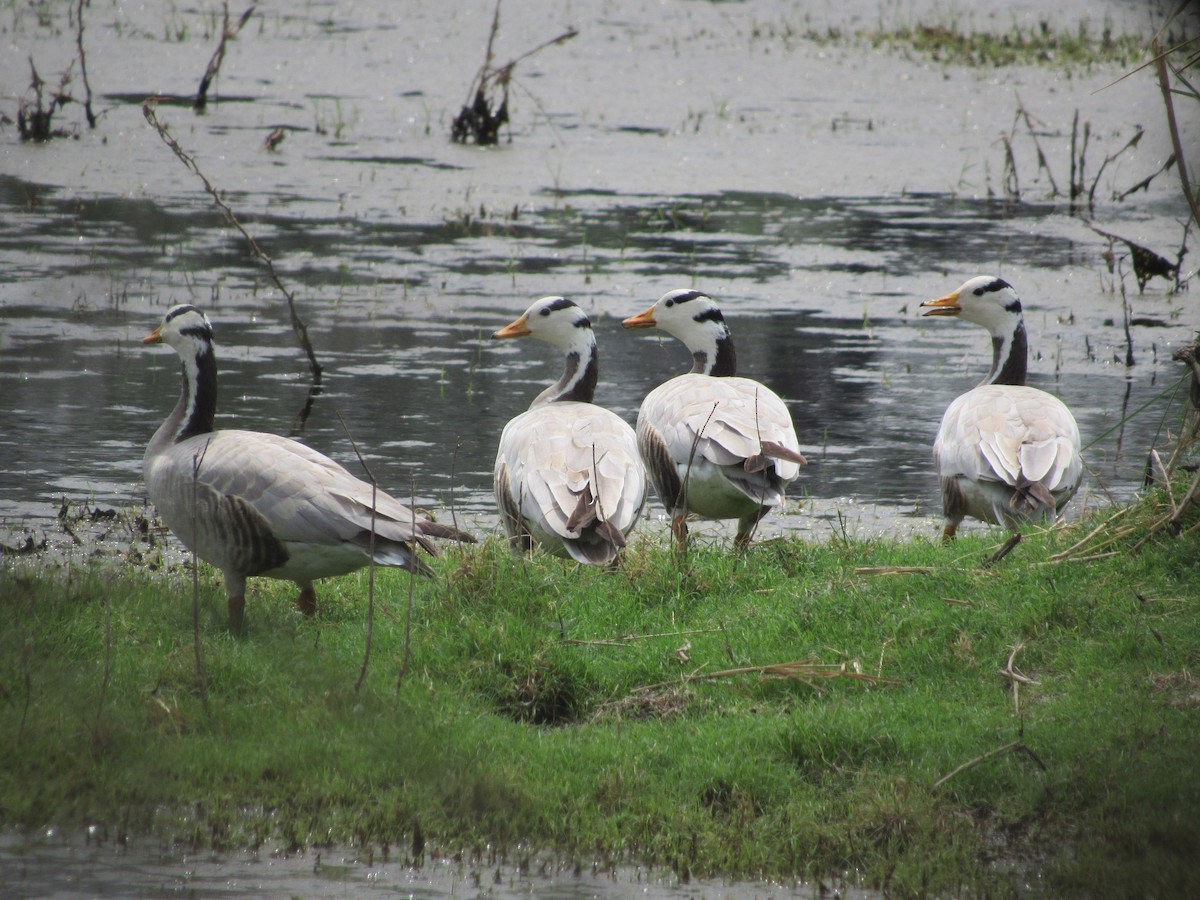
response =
{"points": [[716, 445]]}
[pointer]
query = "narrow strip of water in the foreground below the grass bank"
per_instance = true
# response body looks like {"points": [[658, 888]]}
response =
{"points": [[53, 865]]}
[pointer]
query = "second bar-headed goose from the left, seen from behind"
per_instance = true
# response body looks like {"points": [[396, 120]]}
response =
{"points": [[567, 472]]}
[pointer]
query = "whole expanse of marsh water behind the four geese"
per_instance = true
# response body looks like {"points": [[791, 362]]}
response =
{"points": [[819, 190]]}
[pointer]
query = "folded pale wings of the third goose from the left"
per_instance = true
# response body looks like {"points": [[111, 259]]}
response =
{"points": [[731, 422]]}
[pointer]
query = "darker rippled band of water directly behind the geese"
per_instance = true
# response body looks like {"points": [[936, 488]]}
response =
{"points": [[427, 394]]}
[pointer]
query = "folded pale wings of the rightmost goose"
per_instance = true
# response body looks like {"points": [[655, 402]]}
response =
{"points": [[1011, 435]]}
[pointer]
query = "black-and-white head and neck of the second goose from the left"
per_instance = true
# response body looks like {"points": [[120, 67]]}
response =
{"points": [[561, 322]]}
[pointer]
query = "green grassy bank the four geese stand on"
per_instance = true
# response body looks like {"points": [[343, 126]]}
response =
{"points": [[599, 715]]}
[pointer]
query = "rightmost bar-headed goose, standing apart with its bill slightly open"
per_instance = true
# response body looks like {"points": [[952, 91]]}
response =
{"points": [[1005, 453]]}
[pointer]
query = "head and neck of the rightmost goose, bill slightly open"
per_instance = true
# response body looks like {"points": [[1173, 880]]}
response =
{"points": [[992, 303]]}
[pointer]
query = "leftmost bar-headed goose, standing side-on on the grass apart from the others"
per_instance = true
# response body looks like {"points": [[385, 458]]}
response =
{"points": [[253, 503]]}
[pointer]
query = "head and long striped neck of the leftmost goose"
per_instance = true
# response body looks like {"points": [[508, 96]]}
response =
{"points": [[190, 334]]}
